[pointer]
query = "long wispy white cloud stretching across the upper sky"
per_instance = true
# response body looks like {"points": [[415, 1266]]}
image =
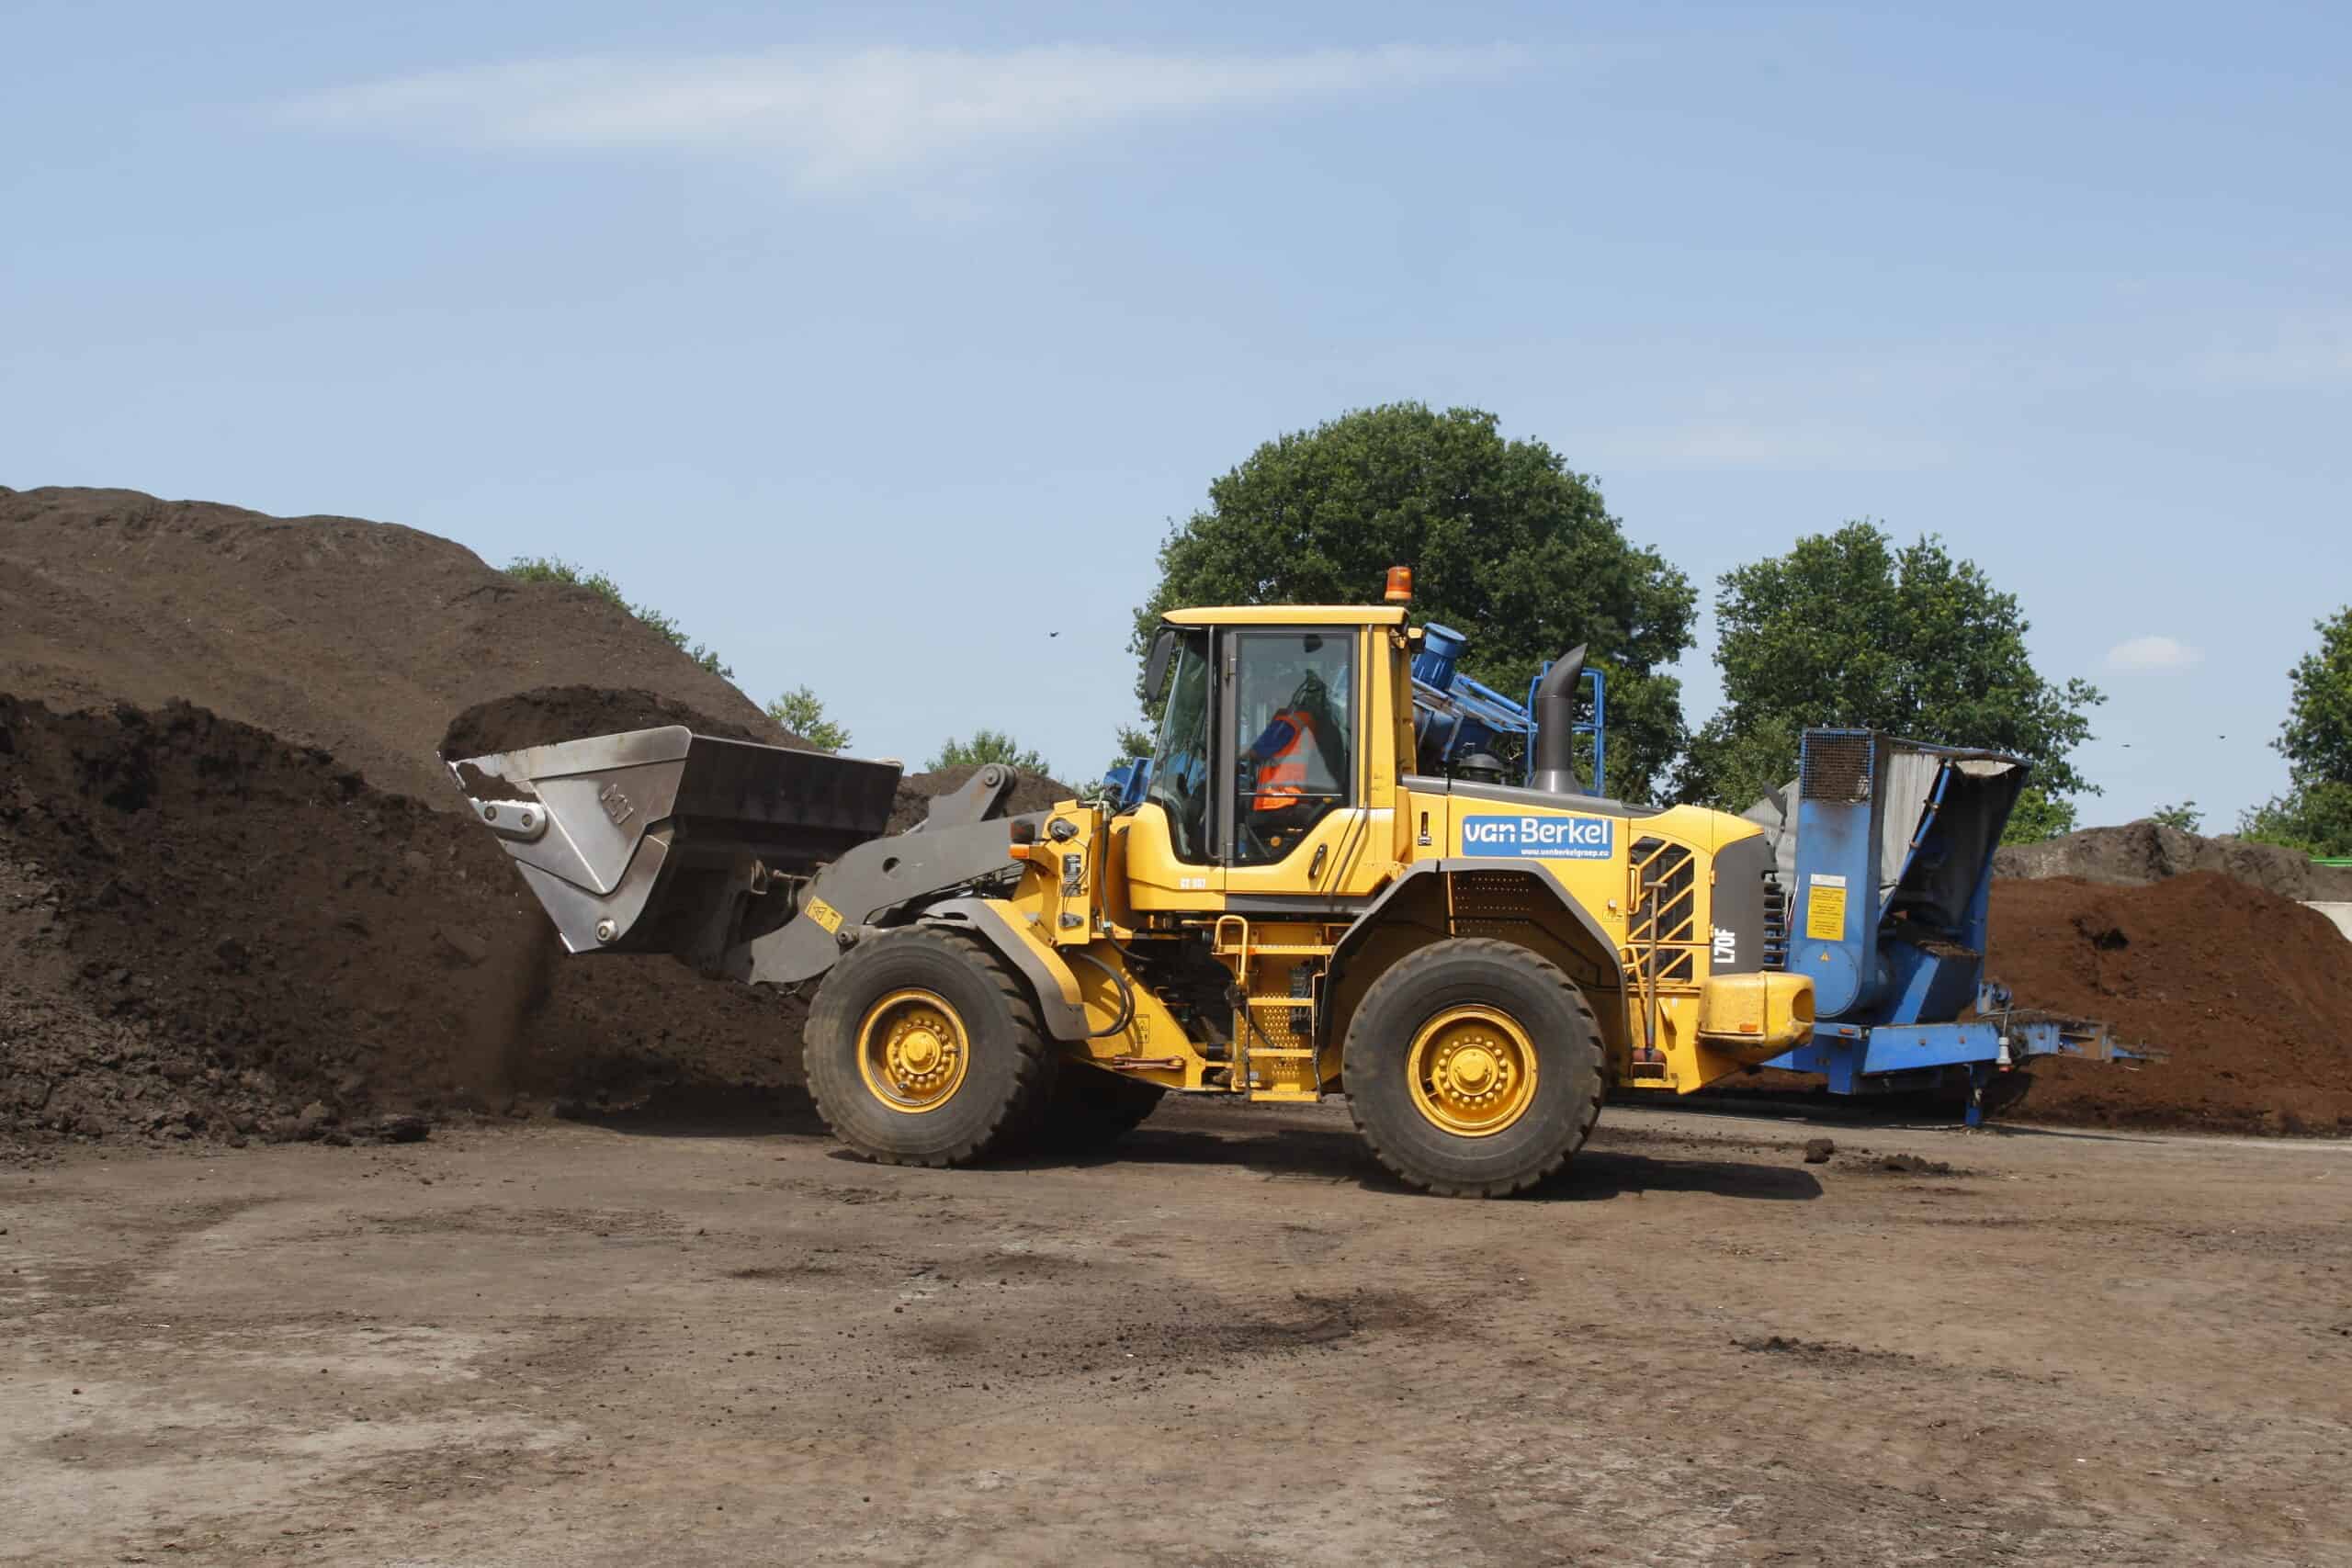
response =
{"points": [[843, 119]]}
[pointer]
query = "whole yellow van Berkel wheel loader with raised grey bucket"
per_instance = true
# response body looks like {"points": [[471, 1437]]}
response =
{"points": [[1288, 909]]}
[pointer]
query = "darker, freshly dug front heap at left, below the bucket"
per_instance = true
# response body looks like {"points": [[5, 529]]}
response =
{"points": [[213, 932]]}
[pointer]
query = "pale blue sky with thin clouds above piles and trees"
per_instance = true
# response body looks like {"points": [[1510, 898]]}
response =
{"points": [[878, 342]]}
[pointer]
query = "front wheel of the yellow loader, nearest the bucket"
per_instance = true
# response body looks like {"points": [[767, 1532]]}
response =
{"points": [[926, 1050]]}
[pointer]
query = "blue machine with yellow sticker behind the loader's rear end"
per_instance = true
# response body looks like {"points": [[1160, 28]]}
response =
{"points": [[1885, 876]]}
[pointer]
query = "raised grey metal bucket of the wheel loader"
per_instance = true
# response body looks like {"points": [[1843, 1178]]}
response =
{"points": [[653, 840]]}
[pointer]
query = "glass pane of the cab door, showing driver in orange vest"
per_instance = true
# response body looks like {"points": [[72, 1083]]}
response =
{"points": [[1292, 739]]}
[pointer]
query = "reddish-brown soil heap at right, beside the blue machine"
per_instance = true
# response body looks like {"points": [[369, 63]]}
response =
{"points": [[2250, 993]]}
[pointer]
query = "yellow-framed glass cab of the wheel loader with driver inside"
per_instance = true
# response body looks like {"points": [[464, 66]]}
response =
{"points": [[1264, 765]]}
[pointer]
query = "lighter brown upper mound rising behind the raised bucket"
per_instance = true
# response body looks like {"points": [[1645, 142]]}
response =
{"points": [[352, 636]]}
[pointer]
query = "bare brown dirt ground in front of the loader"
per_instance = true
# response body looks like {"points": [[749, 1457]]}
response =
{"points": [[728, 1343]]}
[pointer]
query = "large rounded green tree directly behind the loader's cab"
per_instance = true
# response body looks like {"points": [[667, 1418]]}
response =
{"points": [[1506, 544]]}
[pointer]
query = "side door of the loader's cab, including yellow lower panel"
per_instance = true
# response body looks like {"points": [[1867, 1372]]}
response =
{"points": [[1295, 770]]}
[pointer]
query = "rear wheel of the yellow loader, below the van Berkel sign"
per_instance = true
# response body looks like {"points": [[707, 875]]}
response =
{"points": [[1474, 1068]]}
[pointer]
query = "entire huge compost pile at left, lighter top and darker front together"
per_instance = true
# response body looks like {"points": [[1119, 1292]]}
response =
{"points": [[281, 927]]}
